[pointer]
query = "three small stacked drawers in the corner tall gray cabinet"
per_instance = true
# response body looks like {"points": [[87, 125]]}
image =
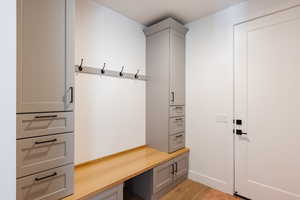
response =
{"points": [[176, 128]]}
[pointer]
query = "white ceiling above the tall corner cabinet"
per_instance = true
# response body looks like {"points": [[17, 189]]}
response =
{"points": [[148, 12]]}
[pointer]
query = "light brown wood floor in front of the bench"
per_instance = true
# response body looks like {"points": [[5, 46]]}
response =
{"points": [[190, 190]]}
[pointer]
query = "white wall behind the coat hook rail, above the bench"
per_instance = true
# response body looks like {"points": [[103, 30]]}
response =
{"points": [[110, 112]]}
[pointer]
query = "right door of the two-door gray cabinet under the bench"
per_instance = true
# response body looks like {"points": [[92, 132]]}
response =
{"points": [[181, 165]]}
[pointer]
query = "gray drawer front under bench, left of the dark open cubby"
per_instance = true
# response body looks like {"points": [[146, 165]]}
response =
{"points": [[115, 193]]}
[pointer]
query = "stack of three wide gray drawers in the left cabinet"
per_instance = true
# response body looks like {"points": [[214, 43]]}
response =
{"points": [[45, 155]]}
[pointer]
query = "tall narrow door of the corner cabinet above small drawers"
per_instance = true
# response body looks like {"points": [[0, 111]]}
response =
{"points": [[177, 69]]}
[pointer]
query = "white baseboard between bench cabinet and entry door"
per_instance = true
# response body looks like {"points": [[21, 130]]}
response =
{"points": [[211, 182]]}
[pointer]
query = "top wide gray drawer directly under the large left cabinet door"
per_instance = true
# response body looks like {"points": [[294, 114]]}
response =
{"points": [[32, 125]]}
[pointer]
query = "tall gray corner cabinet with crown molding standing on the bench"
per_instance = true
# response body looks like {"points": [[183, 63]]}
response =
{"points": [[165, 87]]}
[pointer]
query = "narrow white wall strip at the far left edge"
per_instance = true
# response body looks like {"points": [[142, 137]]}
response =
{"points": [[8, 100]]}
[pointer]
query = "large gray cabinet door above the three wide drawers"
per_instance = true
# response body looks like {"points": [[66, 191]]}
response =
{"points": [[45, 55]]}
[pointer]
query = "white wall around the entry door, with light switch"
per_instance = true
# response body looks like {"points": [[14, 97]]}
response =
{"points": [[210, 90]]}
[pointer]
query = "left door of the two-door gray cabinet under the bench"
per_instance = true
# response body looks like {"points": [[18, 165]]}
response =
{"points": [[162, 176]]}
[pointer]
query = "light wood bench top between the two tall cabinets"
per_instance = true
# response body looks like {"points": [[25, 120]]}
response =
{"points": [[96, 176]]}
